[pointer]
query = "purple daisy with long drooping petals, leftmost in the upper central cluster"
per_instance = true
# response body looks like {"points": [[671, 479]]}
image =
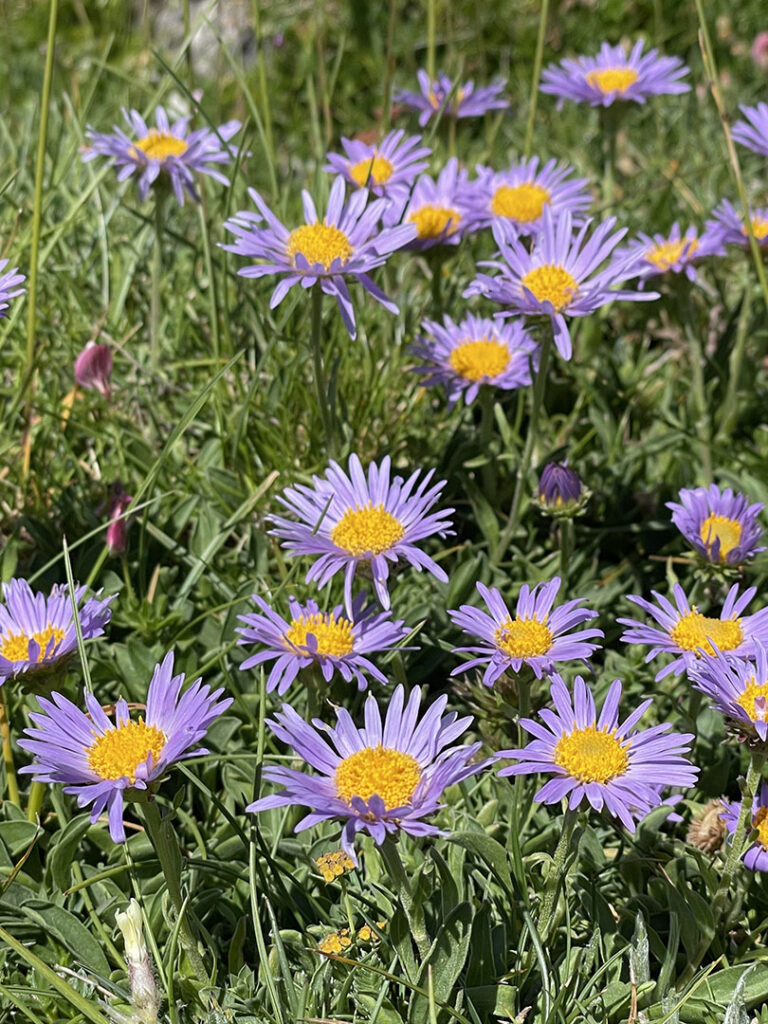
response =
{"points": [[346, 243]]}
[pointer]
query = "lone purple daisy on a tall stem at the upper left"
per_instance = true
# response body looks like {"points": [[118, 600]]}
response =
{"points": [[167, 149]]}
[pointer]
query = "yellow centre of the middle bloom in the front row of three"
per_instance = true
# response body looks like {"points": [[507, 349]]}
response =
{"points": [[378, 772]]}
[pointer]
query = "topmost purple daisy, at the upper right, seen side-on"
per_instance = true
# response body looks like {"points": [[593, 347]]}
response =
{"points": [[612, 75]]}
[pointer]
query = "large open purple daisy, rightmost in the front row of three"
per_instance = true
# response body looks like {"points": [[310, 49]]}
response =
{"points": [[611, 764]]}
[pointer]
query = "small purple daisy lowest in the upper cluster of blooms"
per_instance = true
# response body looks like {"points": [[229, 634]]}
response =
{"points": [[480, 351]]}
